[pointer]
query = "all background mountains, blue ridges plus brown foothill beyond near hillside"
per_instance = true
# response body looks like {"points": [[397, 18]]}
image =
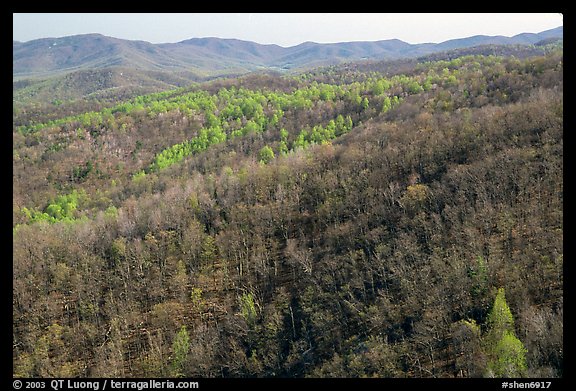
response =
{"points": [[93, 66]]}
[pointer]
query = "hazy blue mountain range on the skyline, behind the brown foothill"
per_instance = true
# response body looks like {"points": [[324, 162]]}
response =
{"points": [[215, 56]]}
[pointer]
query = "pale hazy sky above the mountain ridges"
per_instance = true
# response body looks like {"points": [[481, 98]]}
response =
{"points": [[281, 29]]}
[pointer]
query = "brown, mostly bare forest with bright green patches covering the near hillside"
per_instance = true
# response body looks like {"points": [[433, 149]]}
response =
{"points": [[379, 219]]}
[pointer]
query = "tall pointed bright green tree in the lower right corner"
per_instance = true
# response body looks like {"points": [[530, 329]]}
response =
{"points": [[507, 353]]}
